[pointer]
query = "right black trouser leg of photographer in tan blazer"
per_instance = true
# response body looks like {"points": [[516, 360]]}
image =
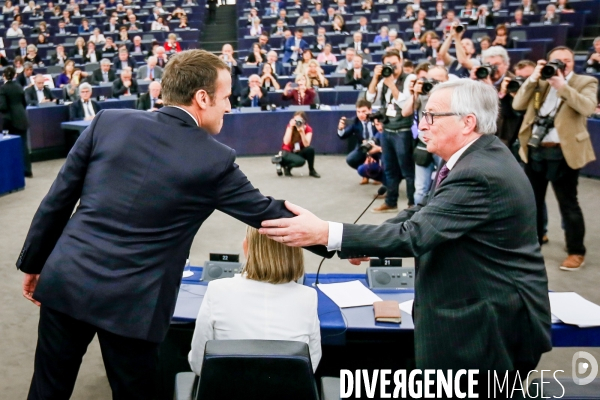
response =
{"points": [[565, 189]]}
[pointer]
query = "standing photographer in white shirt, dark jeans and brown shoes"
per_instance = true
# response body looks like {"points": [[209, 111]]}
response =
{"points": [[388, 84]]}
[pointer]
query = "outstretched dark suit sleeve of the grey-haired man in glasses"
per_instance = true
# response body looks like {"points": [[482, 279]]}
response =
{"points": [[458, 207]]}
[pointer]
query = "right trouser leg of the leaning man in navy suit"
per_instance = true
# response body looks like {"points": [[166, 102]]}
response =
{"points": [[130, 365]]}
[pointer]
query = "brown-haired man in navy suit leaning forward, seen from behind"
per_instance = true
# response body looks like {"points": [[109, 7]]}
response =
{"points": [[145, 183]]}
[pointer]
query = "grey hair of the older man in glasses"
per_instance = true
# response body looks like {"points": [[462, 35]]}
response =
{"points": [[473, 97]]}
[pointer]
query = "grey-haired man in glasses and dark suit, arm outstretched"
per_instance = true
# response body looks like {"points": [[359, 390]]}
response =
{"points": [[481, 290]]}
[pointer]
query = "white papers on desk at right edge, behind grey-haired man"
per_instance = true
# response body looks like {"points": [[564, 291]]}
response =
{"points": [[573, 309]]}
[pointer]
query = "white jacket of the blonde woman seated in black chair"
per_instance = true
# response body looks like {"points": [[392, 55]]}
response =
{"points": [[239, 308]]}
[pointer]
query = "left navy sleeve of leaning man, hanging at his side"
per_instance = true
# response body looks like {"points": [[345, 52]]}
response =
{"points": [[56, 208]]}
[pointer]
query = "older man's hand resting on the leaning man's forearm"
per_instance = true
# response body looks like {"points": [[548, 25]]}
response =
{"points": [[306, 229]]}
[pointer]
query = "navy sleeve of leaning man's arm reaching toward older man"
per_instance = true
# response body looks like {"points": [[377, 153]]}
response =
{"points": [[235, 196]]}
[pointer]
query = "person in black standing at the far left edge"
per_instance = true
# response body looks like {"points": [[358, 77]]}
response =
{"points": [[12, 107]]}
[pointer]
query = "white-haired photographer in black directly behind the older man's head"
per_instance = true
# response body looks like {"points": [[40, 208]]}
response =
{"points": [[495, 71]]}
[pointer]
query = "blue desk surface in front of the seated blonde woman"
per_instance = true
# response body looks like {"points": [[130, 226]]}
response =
{"points": [[336, 322]]}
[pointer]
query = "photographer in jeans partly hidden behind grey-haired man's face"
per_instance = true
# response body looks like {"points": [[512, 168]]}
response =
{"points": [[425, 162]]}
